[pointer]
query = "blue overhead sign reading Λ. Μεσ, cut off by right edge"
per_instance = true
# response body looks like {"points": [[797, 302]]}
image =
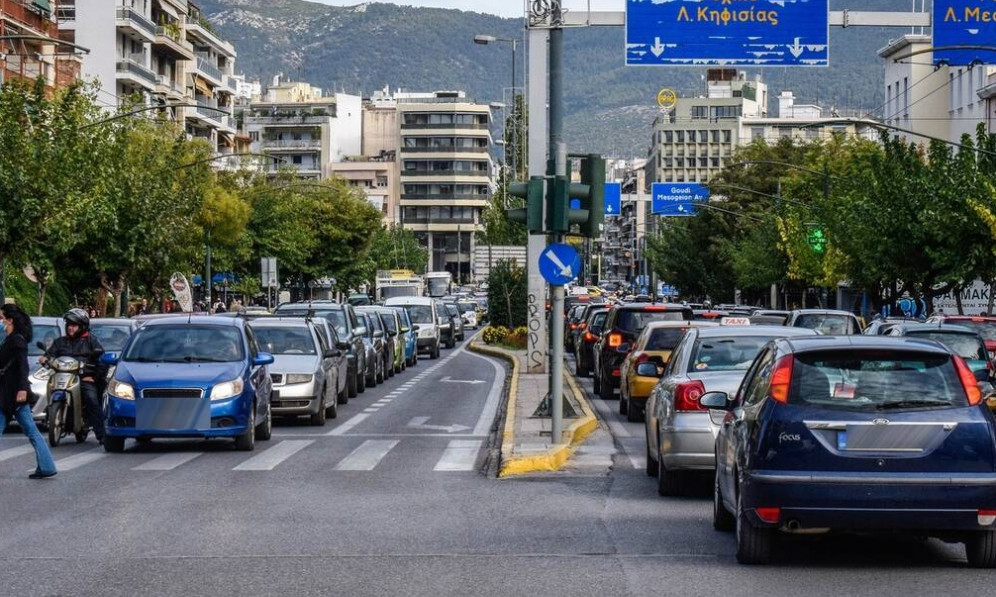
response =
{"points": [[964, 23]]}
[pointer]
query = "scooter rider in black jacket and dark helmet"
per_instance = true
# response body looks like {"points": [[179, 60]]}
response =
{"points": [[83, 346]]}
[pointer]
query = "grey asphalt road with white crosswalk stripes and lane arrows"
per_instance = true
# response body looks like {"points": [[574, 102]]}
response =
{"points": [[391, 499]]}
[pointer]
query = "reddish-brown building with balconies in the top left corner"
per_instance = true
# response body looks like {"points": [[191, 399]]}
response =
{"points": [[30, 45]]}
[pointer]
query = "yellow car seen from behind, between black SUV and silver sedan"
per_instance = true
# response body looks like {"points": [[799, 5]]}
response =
{"points": [[644, 365]]}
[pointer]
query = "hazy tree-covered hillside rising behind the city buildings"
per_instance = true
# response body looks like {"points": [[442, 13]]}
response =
{"points": [[609, 107]]}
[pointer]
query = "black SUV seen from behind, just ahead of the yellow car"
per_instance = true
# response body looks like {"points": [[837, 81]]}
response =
{"points": [[622, 326]]}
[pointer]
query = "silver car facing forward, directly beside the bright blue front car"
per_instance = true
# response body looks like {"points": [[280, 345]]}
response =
{"points": [[304, 381]]}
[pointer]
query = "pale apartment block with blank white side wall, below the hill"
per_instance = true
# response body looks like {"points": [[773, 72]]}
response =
{"points": [[301, 128]]}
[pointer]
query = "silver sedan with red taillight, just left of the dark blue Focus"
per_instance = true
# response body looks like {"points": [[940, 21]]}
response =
{"points": [[681, 434]]}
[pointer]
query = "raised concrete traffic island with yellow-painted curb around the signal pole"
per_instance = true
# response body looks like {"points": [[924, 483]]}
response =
{"points": [[526, 445]]}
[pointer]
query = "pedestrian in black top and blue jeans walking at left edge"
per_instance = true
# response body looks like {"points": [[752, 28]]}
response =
{"points": [[15, 387]]}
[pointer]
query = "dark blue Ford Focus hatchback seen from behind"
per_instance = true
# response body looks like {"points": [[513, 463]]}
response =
{"points": [[856, 434]]}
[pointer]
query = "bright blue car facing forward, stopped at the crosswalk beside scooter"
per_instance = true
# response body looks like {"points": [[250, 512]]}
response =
{"points": [[198, 377]]}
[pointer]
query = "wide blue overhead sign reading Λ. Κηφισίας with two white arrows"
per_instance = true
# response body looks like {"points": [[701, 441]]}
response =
{"points": [[727, 33]]}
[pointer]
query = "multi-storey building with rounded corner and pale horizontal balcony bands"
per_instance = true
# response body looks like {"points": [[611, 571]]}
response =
{"points": [[445, 174]]}
